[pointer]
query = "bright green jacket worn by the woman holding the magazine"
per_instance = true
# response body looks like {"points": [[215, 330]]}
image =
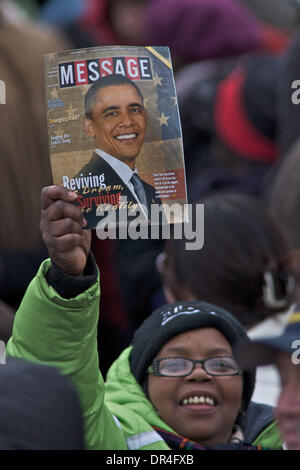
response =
{"points": [[63, 333]]}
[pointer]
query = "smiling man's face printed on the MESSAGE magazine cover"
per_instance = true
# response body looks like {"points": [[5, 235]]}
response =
{"points": [[118, 123]]}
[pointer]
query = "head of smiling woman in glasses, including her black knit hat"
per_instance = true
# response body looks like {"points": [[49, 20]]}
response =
{"points": [[193, 382]]}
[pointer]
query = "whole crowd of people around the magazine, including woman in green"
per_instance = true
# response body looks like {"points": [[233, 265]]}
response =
{"points": [[194, 349]]}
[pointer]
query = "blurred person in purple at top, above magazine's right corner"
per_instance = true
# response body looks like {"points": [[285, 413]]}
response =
{"points": [[209, 29]]}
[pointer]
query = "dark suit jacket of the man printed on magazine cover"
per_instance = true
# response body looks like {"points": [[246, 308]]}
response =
{"points": [[115, 189]]}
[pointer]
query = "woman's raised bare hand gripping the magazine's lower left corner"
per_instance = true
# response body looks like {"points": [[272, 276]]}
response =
{"points": [[62, 226]]}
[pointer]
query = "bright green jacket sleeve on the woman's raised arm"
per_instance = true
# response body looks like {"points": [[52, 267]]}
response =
{"points": [[63, 332]]}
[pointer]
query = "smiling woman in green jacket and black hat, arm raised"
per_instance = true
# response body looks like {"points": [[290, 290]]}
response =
{"points": [[178, 386]]}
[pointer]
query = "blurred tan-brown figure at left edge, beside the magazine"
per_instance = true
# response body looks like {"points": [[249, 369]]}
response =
{"points": [[24, 155]]}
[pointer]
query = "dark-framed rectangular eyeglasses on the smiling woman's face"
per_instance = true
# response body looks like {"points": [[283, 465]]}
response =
{"points": [[181, 367]]}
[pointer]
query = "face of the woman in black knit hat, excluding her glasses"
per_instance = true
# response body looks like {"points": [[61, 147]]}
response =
{"points": [[207, 423]]}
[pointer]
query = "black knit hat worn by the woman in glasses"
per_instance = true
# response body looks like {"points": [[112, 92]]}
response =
{"points": [[171, 320]]}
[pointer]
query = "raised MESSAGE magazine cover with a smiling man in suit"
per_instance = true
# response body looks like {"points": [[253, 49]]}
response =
{"points": [[114, 132]]}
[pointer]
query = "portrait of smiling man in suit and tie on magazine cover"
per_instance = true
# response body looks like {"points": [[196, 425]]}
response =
{"points": [[116, 120]]}
